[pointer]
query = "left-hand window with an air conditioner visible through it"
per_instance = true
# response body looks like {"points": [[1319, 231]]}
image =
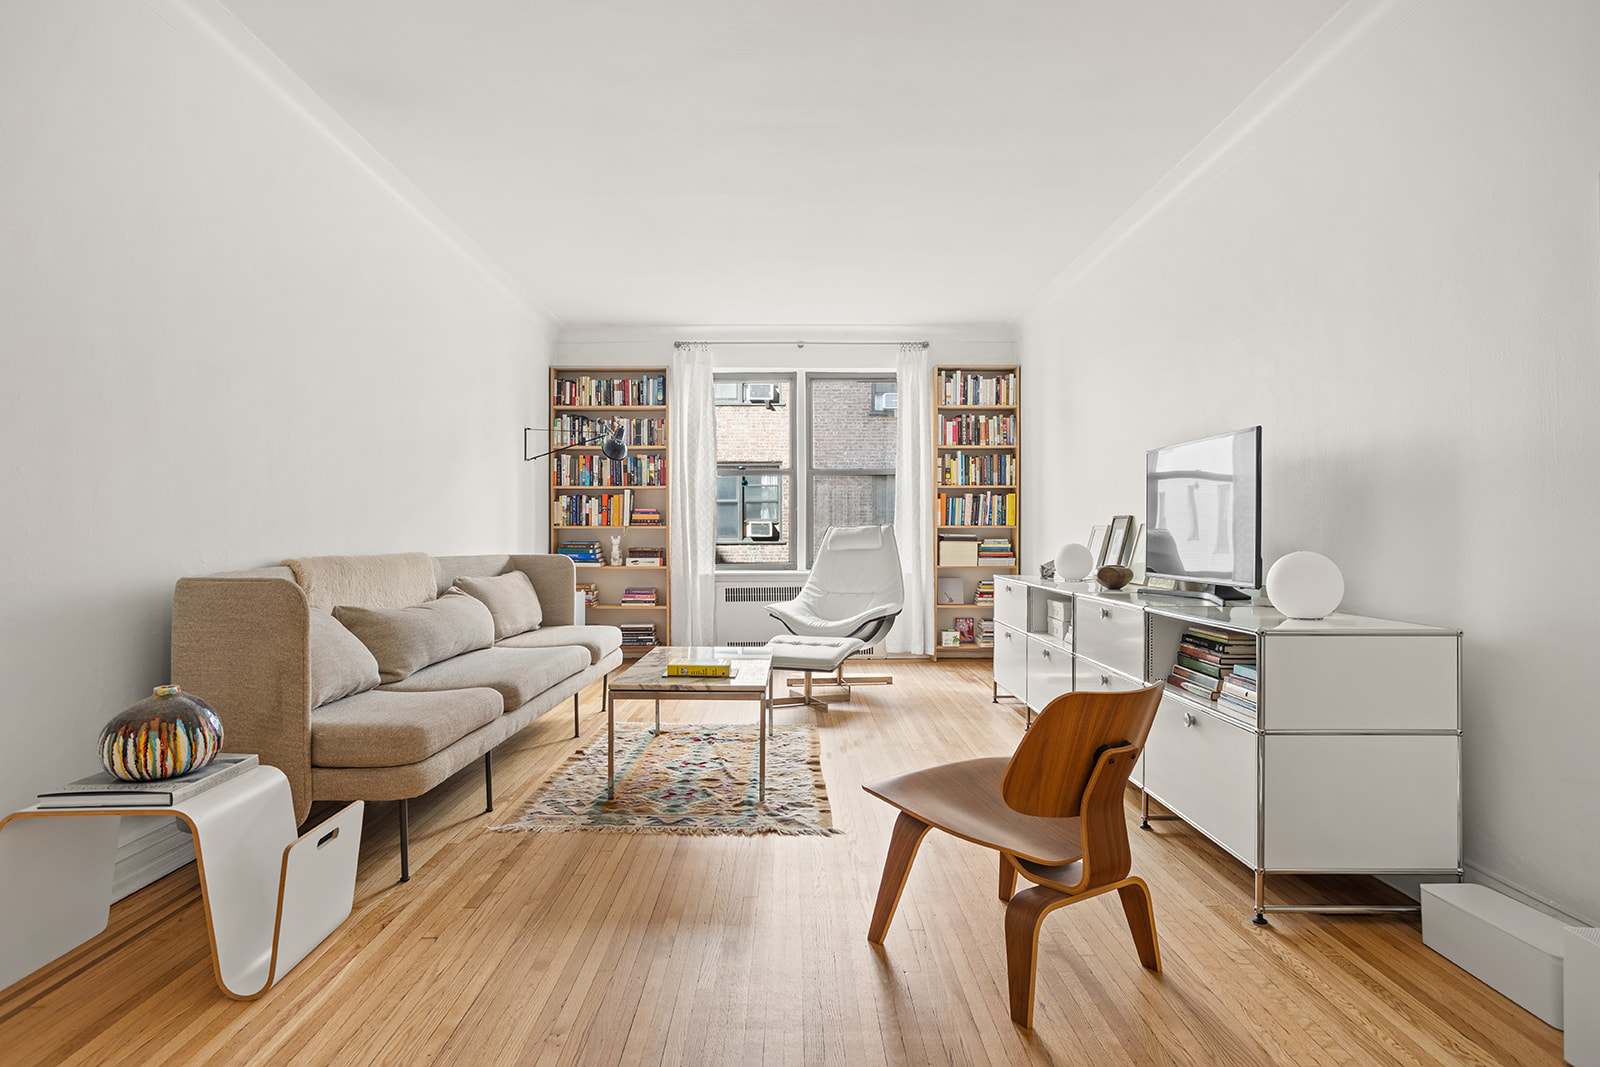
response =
{"points": [[754, 470]]}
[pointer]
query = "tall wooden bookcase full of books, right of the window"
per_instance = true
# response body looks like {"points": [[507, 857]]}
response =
{"points": [[977, 495]]}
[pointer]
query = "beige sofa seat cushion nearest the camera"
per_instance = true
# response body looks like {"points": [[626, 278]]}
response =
{"points": [[378, 729]]}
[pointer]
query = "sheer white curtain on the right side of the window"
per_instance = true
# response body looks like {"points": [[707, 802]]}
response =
{"points": [[914, 498]]}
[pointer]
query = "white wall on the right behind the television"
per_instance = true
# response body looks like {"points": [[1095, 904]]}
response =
{"points": [[1391, 265]]}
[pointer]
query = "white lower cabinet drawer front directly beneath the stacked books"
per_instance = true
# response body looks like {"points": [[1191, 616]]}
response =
{"points": [[1204, 769]]}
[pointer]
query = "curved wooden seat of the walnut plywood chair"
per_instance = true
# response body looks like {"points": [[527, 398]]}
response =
{"points": [[964, 799]]}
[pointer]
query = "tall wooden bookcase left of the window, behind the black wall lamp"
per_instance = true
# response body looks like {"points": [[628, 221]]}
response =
{"points": [[583, 481]]}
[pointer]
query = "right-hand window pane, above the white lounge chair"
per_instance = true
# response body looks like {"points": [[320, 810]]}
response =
{"points": [[852, 447]]}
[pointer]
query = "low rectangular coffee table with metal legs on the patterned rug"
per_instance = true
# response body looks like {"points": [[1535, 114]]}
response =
{"points": [[750, 679]]}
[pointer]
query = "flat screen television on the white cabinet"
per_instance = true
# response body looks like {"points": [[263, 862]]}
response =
{"points": [[1202, 511]]}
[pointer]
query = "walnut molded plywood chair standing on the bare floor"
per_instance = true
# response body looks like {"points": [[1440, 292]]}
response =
{"points": [[1054, 812]]}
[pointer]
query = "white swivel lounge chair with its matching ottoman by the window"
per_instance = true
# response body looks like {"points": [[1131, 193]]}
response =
{"points": [[849, 604]]}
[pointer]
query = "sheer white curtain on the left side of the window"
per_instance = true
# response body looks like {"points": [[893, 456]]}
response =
{"points": [[692, 431]]}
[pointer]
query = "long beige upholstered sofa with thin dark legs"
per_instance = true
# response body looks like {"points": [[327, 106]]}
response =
{"points": [[420, 695]]}
